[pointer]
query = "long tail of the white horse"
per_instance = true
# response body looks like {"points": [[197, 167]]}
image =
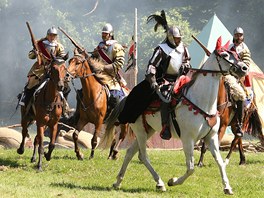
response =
{"points": [[110, 123]]}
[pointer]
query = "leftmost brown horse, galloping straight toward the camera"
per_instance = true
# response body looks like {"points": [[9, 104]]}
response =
{"points": [[46, 111]]}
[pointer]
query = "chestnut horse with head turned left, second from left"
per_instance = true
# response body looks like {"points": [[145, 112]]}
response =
{"points": [[92, 106]]}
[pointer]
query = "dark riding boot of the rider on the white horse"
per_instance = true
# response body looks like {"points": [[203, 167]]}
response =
{"points": [[165, 115]]}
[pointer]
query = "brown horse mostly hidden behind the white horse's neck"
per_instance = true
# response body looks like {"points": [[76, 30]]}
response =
{"points": [[251, 124]]}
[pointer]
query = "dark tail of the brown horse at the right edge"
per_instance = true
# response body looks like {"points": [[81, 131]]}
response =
{"points": [[254, 127]]}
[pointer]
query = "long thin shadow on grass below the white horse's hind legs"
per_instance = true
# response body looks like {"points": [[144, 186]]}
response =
{"points": [[99, 188]]}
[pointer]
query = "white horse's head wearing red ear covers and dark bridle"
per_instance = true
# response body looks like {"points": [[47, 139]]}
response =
{"points": [[236, 66]]}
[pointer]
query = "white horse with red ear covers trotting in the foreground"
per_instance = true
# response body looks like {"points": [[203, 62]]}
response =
{"points": [[193, 126]]}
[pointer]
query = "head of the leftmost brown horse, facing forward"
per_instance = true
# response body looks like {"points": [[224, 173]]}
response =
{"points": [[57, 72]]}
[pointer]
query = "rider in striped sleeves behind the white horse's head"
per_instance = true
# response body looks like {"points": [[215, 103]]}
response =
{"points": [[243, 86]]}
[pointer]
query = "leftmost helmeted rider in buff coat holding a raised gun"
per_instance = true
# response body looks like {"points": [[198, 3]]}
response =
{"points": [[47, 46]]}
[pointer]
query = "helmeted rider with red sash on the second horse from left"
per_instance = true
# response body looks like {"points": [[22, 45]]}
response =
{"points": [[112, 54]]}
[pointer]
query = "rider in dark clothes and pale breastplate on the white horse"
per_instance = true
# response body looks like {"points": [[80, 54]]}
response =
{"points": [[169, 60]]}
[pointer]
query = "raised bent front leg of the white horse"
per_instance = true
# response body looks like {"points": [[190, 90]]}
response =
{"points": [[188, 148]]}
